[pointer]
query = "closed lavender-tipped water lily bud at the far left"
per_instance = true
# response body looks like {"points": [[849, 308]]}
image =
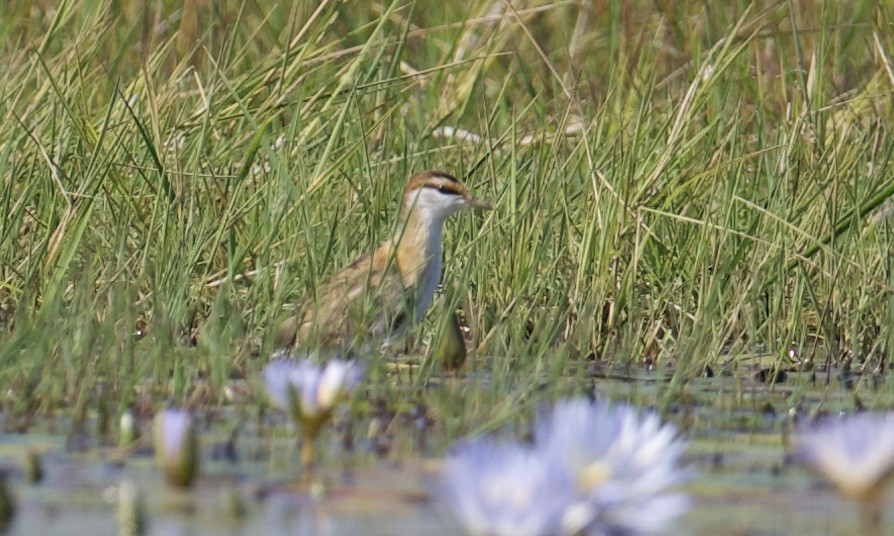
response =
{"points": [[176, 446]]}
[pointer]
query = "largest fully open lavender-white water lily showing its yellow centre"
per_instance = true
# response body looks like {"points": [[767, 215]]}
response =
{"points": [[622, 462]]}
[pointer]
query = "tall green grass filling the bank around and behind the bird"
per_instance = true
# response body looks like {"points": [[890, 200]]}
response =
{"points": [[674, 184]]}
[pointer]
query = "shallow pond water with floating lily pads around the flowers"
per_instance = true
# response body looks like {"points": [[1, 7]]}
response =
{"points": [[745, 479]]}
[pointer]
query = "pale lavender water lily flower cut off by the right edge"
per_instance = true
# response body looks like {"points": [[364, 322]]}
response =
{"points": [[856, 453]]}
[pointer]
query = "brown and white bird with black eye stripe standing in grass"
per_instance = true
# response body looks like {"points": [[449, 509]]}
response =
{"points": [[380, 294]]}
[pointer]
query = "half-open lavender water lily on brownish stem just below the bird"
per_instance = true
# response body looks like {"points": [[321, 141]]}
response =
{"points": [[309, 392]]}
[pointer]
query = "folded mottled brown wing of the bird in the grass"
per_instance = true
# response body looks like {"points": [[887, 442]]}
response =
{"points": [[362, 303]]}
